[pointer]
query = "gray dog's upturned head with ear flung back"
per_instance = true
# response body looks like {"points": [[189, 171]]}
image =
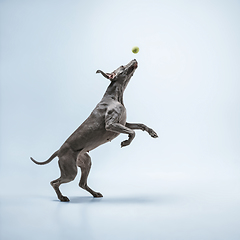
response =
{"points": [[122, 74]]}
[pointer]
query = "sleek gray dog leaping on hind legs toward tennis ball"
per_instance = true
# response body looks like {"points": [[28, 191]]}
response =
{"points": [[104, 124]]}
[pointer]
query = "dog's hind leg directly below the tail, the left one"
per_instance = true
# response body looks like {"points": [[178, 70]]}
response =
{"points": [[68, 168]]}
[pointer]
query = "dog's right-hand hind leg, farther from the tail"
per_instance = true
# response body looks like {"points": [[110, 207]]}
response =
{"points": [[84, 162]]}
